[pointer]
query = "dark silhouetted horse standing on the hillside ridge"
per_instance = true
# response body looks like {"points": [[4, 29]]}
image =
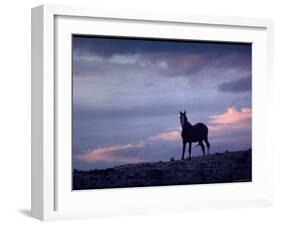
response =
{"points": [[193, 133]]}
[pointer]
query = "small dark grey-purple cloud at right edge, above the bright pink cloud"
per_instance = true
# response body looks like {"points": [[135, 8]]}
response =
{"points": [[236, 86]]}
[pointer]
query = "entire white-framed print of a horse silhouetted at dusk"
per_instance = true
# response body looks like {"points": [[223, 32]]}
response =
{"points": [[137, 112]]}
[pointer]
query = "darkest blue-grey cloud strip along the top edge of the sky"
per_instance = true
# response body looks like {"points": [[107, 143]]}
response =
{"points": [[110, 46]]}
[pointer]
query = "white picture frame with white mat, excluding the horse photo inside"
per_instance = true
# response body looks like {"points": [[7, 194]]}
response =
{"points": [[52, 197]]}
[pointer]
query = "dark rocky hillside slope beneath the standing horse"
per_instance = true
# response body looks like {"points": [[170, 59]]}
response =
{"points": [[215, 168]]}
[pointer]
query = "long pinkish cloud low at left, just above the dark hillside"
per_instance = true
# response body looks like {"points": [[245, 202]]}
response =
{"points": [[110, 154]]}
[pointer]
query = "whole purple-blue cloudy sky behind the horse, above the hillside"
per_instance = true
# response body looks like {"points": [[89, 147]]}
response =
{"points": [[127, 94]]}
